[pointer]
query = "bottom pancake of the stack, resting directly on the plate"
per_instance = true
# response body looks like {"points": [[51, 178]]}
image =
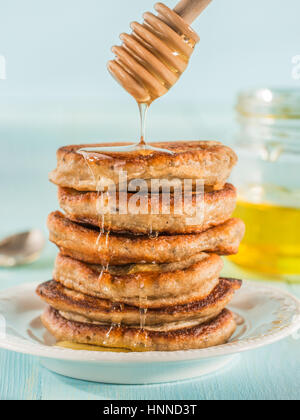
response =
{"points": [[209, 334]]}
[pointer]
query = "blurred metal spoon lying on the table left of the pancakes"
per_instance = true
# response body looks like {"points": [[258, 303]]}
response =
{"points": [[21, 248]]}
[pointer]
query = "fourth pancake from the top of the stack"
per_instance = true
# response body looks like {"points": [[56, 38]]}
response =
{"points": [[162, 284]]}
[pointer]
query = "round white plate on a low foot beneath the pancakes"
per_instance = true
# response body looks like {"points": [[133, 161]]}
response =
{"points": [[265, 315]]}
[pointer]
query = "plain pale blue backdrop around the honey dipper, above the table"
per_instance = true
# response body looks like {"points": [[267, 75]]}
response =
{"points": [[57, 52]]}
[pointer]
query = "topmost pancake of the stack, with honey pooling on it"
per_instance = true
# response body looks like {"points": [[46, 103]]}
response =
{"points": [[208, 161]]}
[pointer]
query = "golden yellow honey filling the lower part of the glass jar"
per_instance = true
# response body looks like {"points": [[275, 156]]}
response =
{"points": [[271, 245]]}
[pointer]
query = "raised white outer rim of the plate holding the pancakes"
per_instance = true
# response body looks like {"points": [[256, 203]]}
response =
{"points": [[25, 346]]}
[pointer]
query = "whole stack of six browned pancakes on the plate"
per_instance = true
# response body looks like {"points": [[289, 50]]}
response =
{"points": [[142, 282]]}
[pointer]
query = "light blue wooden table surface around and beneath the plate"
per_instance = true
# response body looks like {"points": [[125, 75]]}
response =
{"points": [[269, 373]]}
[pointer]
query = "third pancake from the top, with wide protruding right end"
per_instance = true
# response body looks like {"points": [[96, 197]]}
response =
{"points": [[88, 245]]}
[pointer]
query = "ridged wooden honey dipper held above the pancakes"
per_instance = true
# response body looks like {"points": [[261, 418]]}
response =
{"points": [[154, 56]]}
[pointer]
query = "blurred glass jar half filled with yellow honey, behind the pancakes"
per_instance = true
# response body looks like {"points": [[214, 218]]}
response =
{"points": [[268, 181]]}
